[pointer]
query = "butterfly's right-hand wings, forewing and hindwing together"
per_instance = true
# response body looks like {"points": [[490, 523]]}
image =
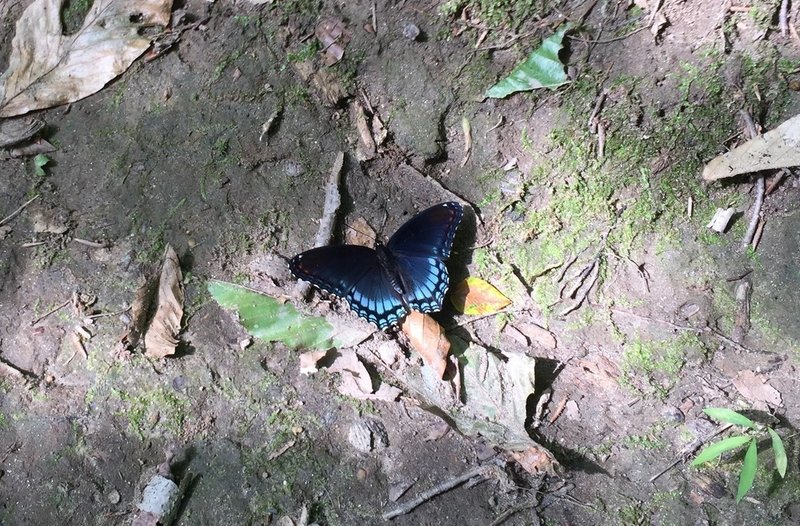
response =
{"points": [[419, 249]]}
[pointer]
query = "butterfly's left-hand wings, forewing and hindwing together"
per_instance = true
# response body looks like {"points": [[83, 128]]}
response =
{"points": [[354, 274]]}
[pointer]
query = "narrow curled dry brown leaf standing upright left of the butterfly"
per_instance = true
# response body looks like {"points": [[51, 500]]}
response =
{"points": [[161, 337]]}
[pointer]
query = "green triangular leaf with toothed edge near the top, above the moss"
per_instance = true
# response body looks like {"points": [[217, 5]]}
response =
{"points": [[543, 69]]}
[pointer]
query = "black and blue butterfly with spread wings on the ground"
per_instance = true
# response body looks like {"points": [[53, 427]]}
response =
{"points": [[383, 285]]}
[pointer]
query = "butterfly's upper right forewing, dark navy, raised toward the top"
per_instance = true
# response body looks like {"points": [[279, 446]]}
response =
{"points": [[429, 233]]}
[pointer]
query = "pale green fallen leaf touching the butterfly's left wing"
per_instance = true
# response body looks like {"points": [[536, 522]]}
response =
{"points": [[268, 319]]}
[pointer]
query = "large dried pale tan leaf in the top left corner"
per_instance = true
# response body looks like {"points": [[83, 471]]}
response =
{"points": [[47, 68]]}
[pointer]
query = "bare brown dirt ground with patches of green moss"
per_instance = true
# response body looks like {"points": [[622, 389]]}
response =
{"points": [[221, 147]]}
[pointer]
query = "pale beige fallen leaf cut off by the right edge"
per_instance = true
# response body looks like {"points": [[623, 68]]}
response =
{"points": [[778, 148]]}
